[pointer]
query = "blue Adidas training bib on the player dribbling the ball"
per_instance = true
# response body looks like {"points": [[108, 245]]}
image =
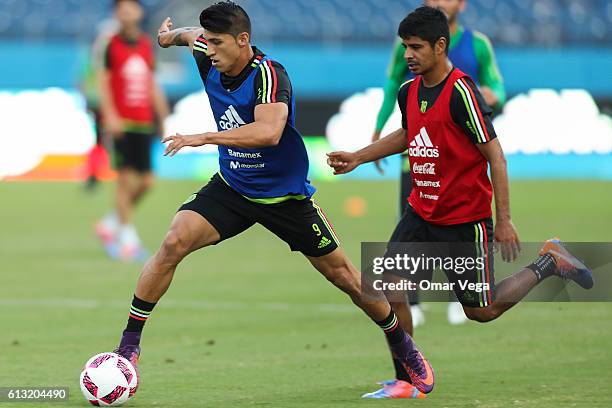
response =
{"points": [[272, 172]]}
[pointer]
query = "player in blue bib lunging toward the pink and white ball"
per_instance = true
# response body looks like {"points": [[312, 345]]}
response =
{"points": [[262, 179]]}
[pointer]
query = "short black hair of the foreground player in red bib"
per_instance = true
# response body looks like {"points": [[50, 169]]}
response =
{"points": [[427, 23]]}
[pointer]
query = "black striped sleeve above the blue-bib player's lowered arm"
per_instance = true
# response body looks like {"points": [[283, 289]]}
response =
{"points": [[272, 83]]}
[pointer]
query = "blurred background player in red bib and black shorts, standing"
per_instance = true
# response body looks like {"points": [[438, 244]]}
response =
{"points": [[130, 102]]}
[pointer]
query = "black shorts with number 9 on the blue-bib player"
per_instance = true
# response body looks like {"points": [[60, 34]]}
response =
{"points": [[300, 223]]}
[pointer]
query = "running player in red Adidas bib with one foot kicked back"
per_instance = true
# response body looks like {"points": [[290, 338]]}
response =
{"points": [[447, 130]]}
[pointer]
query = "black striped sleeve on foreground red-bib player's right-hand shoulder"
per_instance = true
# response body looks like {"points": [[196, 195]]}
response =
{"points": [[470, 112]]}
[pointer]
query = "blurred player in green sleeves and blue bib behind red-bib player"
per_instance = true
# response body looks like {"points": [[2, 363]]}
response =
{"points": [[472, 53]]}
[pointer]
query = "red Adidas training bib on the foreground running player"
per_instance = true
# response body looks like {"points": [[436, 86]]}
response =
{"points": [[449, 176]]}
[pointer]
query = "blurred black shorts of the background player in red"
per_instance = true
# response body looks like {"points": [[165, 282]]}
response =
{"points": [[133, 151]]}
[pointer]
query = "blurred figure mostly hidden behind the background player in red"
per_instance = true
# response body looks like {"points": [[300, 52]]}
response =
{"points": [[97, 158]]}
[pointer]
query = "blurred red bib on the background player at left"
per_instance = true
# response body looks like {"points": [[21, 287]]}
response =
{"points": [[131, 77]]}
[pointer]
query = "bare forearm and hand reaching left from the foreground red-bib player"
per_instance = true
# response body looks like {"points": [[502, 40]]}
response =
{"points": [[345, 162]]}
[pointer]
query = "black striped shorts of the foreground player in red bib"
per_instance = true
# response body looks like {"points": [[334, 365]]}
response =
{"points": [[470, 240]]}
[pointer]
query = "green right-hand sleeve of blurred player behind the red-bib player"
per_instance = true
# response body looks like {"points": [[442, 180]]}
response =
{"points": [[488, 71]]}
